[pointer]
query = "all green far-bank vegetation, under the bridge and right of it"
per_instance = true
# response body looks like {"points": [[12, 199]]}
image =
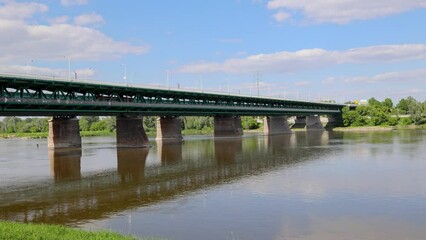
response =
{"points": [[372, 115]]}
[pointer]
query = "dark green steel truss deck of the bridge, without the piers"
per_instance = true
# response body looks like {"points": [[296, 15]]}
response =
{"points": [[50, 96]]}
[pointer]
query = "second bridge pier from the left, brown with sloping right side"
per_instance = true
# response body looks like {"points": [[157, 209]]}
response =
{"points": [[130, 132]]}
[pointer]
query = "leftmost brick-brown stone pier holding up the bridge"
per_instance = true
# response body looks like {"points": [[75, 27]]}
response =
{"points": [[64, 132]]}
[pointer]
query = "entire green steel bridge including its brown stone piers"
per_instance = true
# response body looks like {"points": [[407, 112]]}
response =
{"points": [[64, 99]]}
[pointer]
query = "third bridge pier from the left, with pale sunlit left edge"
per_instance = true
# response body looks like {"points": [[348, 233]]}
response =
{"points": [[169, 128]]}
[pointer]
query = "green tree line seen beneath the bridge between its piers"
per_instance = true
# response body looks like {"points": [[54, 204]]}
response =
{"points": [[107, 124]]}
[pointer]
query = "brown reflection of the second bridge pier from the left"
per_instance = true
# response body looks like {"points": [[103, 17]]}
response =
{"points": [[131, 163]]}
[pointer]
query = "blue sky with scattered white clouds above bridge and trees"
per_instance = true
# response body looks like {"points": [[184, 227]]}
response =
{"points": [[341, 50]]}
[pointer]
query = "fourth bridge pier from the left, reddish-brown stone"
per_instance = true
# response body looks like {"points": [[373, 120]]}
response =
{"points": [[227, 126]]}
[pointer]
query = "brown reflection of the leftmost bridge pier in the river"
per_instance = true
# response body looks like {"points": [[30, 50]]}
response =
{"points": [[65, 164]]}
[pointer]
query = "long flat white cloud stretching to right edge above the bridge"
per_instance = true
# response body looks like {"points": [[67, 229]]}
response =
{"points": [[280, 62]]}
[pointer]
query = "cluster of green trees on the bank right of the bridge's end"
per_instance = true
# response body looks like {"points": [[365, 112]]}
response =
{"points": [[375, 113]]}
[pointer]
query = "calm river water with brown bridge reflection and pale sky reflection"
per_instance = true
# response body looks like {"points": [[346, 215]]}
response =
{"points": [[315, 185]]}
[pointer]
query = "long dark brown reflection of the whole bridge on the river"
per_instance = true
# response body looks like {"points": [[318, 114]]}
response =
{"points": [[185, 167]]}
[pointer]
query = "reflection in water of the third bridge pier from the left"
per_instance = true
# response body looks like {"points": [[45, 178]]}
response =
{"points": [[170, 152]]}
